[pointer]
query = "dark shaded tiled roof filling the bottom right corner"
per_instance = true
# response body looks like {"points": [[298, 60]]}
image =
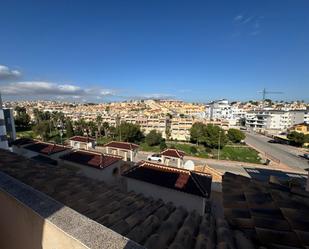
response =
{"points": [[272, 213]]}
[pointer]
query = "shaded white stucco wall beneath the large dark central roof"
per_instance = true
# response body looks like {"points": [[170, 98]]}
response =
{"points": [[188, 201]]}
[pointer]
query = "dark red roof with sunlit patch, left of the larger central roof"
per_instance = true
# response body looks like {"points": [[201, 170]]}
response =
{"points": [[92, 159]]}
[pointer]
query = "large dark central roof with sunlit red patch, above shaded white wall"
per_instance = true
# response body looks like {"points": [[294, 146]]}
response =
{"points": [[190, 182]]}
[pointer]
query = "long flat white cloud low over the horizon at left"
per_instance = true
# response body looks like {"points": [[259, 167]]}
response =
{"points": [[42, 88]]}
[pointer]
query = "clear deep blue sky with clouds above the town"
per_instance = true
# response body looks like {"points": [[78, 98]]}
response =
{"points": [[191, 50]]}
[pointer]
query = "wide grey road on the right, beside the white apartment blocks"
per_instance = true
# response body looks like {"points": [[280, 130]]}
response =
{"points": [[287, 154]]}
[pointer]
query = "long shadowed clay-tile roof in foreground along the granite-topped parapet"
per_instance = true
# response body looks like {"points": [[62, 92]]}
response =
{"points": [[146, 221]]}
